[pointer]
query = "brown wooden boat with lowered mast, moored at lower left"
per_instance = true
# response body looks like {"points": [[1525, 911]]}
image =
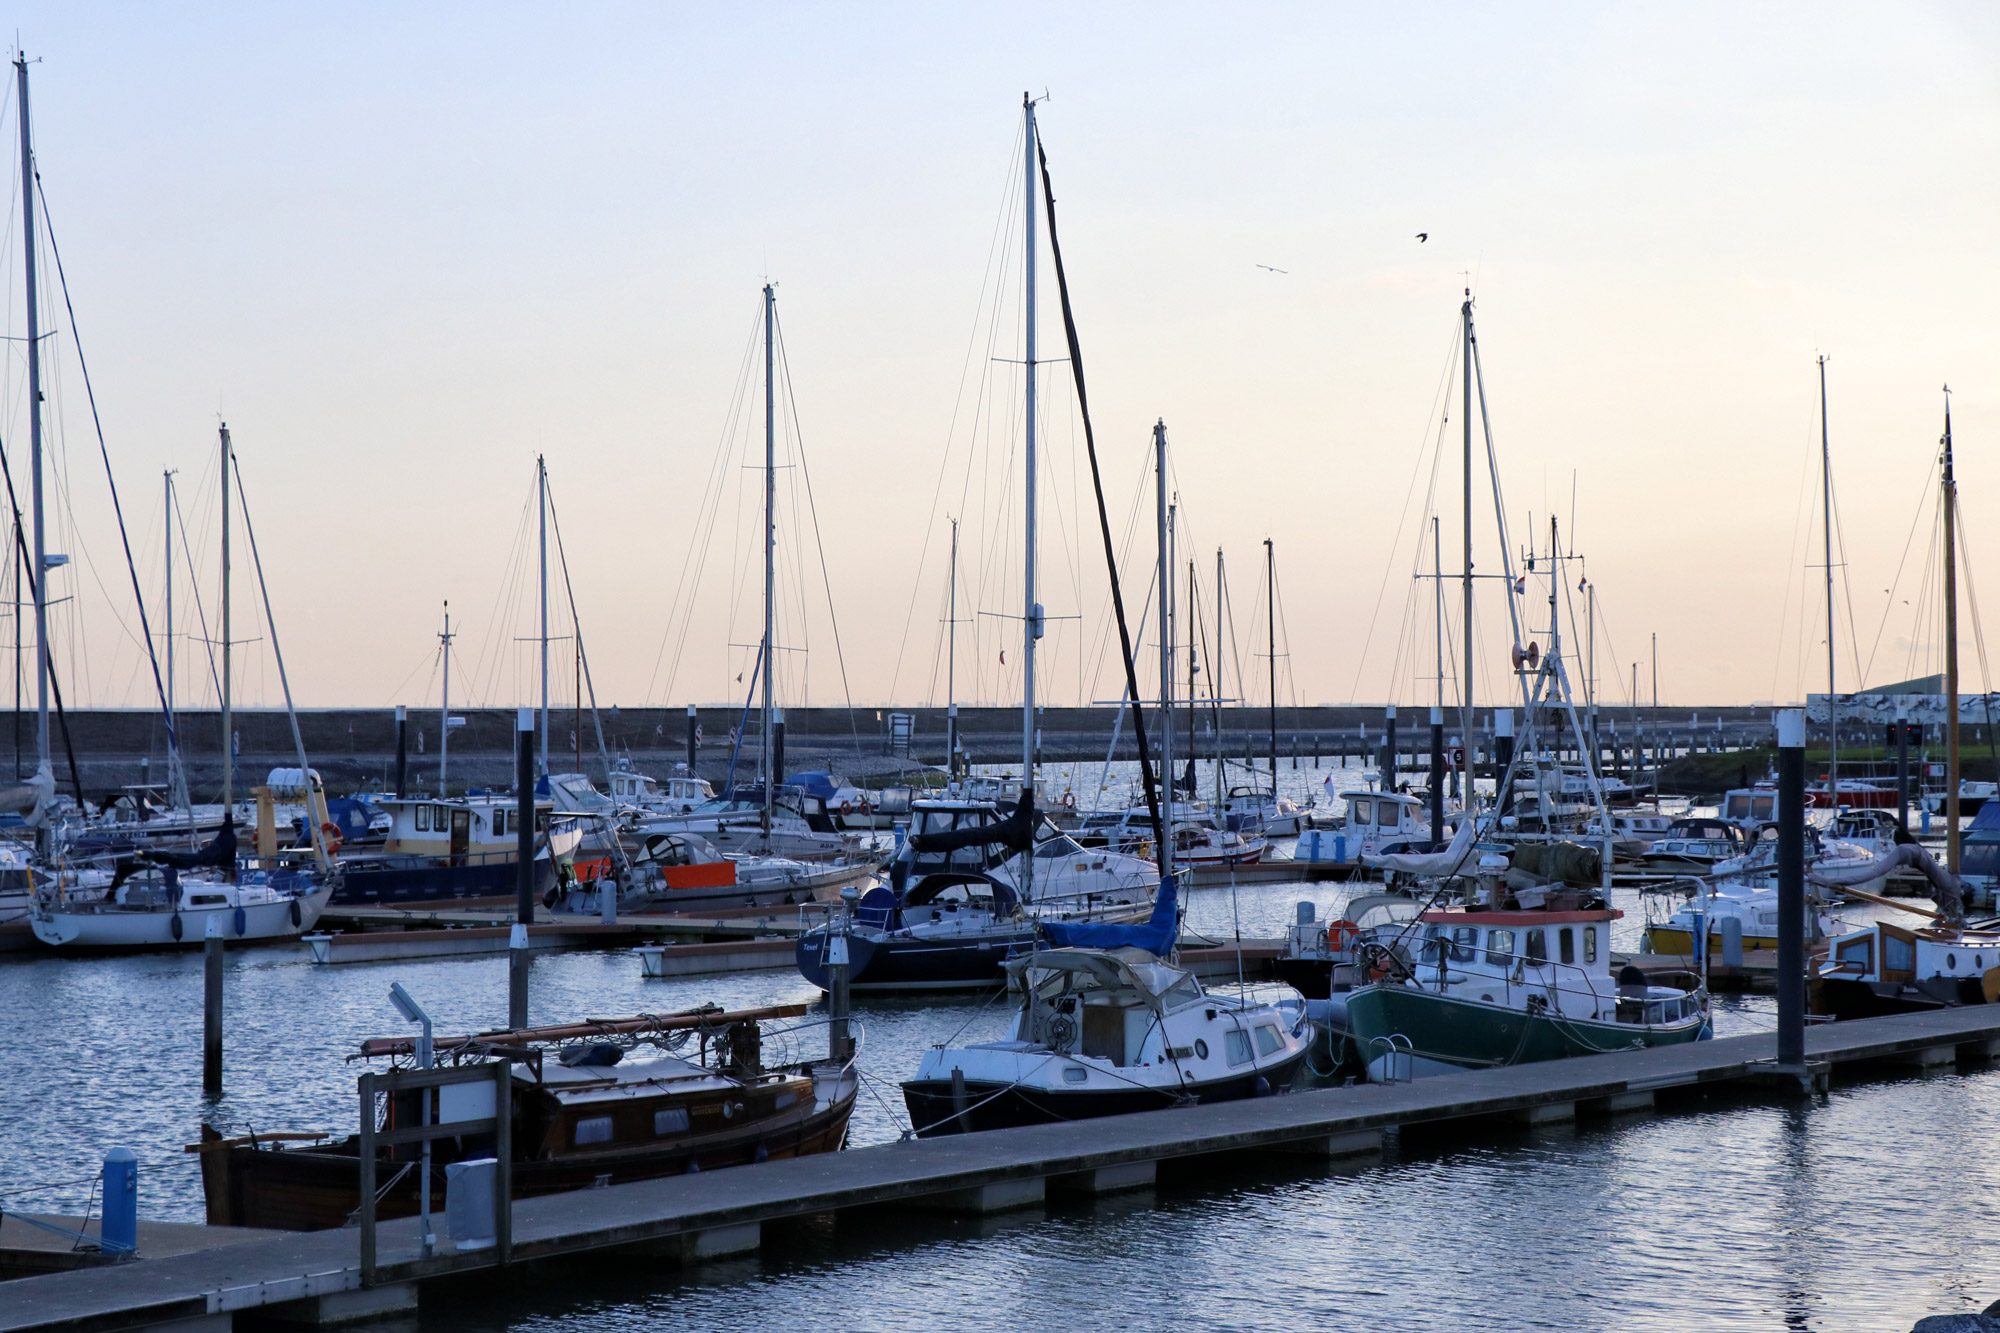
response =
{"points": [[589, 1108]]}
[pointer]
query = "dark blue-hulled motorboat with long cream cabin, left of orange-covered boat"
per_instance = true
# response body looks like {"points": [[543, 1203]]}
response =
{"points": [[455, 848]]}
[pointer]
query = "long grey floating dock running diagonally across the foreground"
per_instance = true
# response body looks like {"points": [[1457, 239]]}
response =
{"points": [[315, 1278]]}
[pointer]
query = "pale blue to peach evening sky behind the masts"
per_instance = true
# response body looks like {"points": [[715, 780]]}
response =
{"points": [[405, 251]]}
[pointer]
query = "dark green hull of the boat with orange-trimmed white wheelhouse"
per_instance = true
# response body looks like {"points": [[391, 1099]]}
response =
{"points": [[1473, 1036]]}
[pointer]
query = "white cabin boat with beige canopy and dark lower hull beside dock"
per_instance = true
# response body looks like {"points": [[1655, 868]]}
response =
{"points": [[1103, 1032]]}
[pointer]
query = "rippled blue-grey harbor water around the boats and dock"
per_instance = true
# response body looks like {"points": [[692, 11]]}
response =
{"points": [[1863, 1212]]}
